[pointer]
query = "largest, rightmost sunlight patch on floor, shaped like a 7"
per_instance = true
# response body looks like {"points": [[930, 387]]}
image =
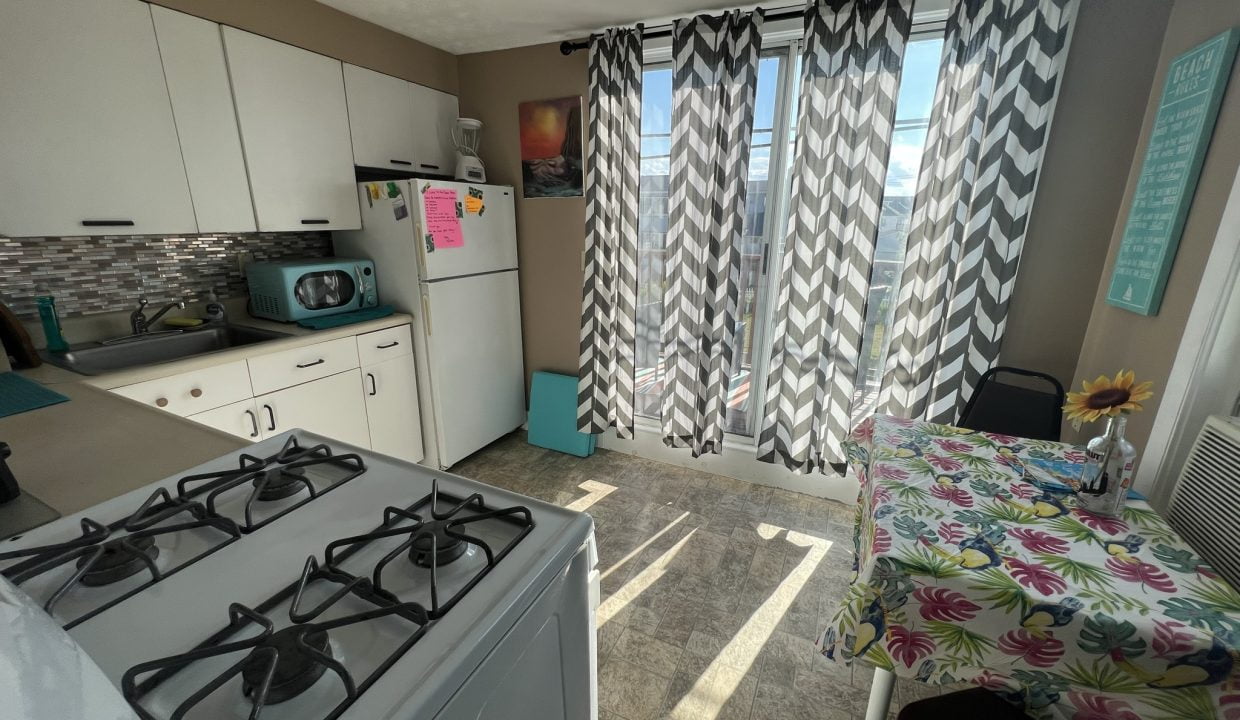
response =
{"points": [[720, 681]]}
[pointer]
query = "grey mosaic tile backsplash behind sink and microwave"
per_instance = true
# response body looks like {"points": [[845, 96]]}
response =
{"points": [[108, 273]]}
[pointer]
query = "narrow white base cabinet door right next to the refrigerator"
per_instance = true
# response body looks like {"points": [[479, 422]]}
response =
{"points": [[392, 408]]}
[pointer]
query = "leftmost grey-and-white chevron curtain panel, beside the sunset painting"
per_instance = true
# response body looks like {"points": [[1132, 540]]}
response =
{"points": [[609, 302]]}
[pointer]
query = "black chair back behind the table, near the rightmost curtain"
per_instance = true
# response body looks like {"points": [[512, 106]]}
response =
{"points": [[1016, 410]]}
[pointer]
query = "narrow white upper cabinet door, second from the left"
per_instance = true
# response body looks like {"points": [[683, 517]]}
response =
{"points": [[206, 122]]}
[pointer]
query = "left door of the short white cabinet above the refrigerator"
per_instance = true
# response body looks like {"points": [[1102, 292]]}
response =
{"points": [[381, 120]]}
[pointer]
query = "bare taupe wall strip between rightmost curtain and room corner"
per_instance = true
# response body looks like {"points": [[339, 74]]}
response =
{"points": [[1098, 120]]}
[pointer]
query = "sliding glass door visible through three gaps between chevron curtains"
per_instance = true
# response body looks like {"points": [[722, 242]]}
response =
{"points": [[767, 222]]}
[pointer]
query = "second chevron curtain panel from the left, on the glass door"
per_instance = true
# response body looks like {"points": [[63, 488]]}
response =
{"points": [[715, 79]]}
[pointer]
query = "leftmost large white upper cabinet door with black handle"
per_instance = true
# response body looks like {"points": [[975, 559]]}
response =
{"points": [[87, 141]]}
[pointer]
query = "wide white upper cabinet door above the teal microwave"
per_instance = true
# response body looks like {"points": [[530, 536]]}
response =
{"points": [[294, 130]]}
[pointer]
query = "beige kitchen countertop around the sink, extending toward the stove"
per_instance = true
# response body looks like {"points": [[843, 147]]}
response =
{"points": [[101, 446]]}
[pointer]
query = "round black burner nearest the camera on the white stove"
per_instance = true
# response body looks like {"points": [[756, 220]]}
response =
{"points": [[296, 670]]}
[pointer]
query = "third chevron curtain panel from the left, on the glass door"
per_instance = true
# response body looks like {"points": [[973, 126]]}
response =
{"points": [[850, 79]]}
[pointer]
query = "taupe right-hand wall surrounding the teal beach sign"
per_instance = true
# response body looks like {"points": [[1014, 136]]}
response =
{"points": [[1118, 339]]}
